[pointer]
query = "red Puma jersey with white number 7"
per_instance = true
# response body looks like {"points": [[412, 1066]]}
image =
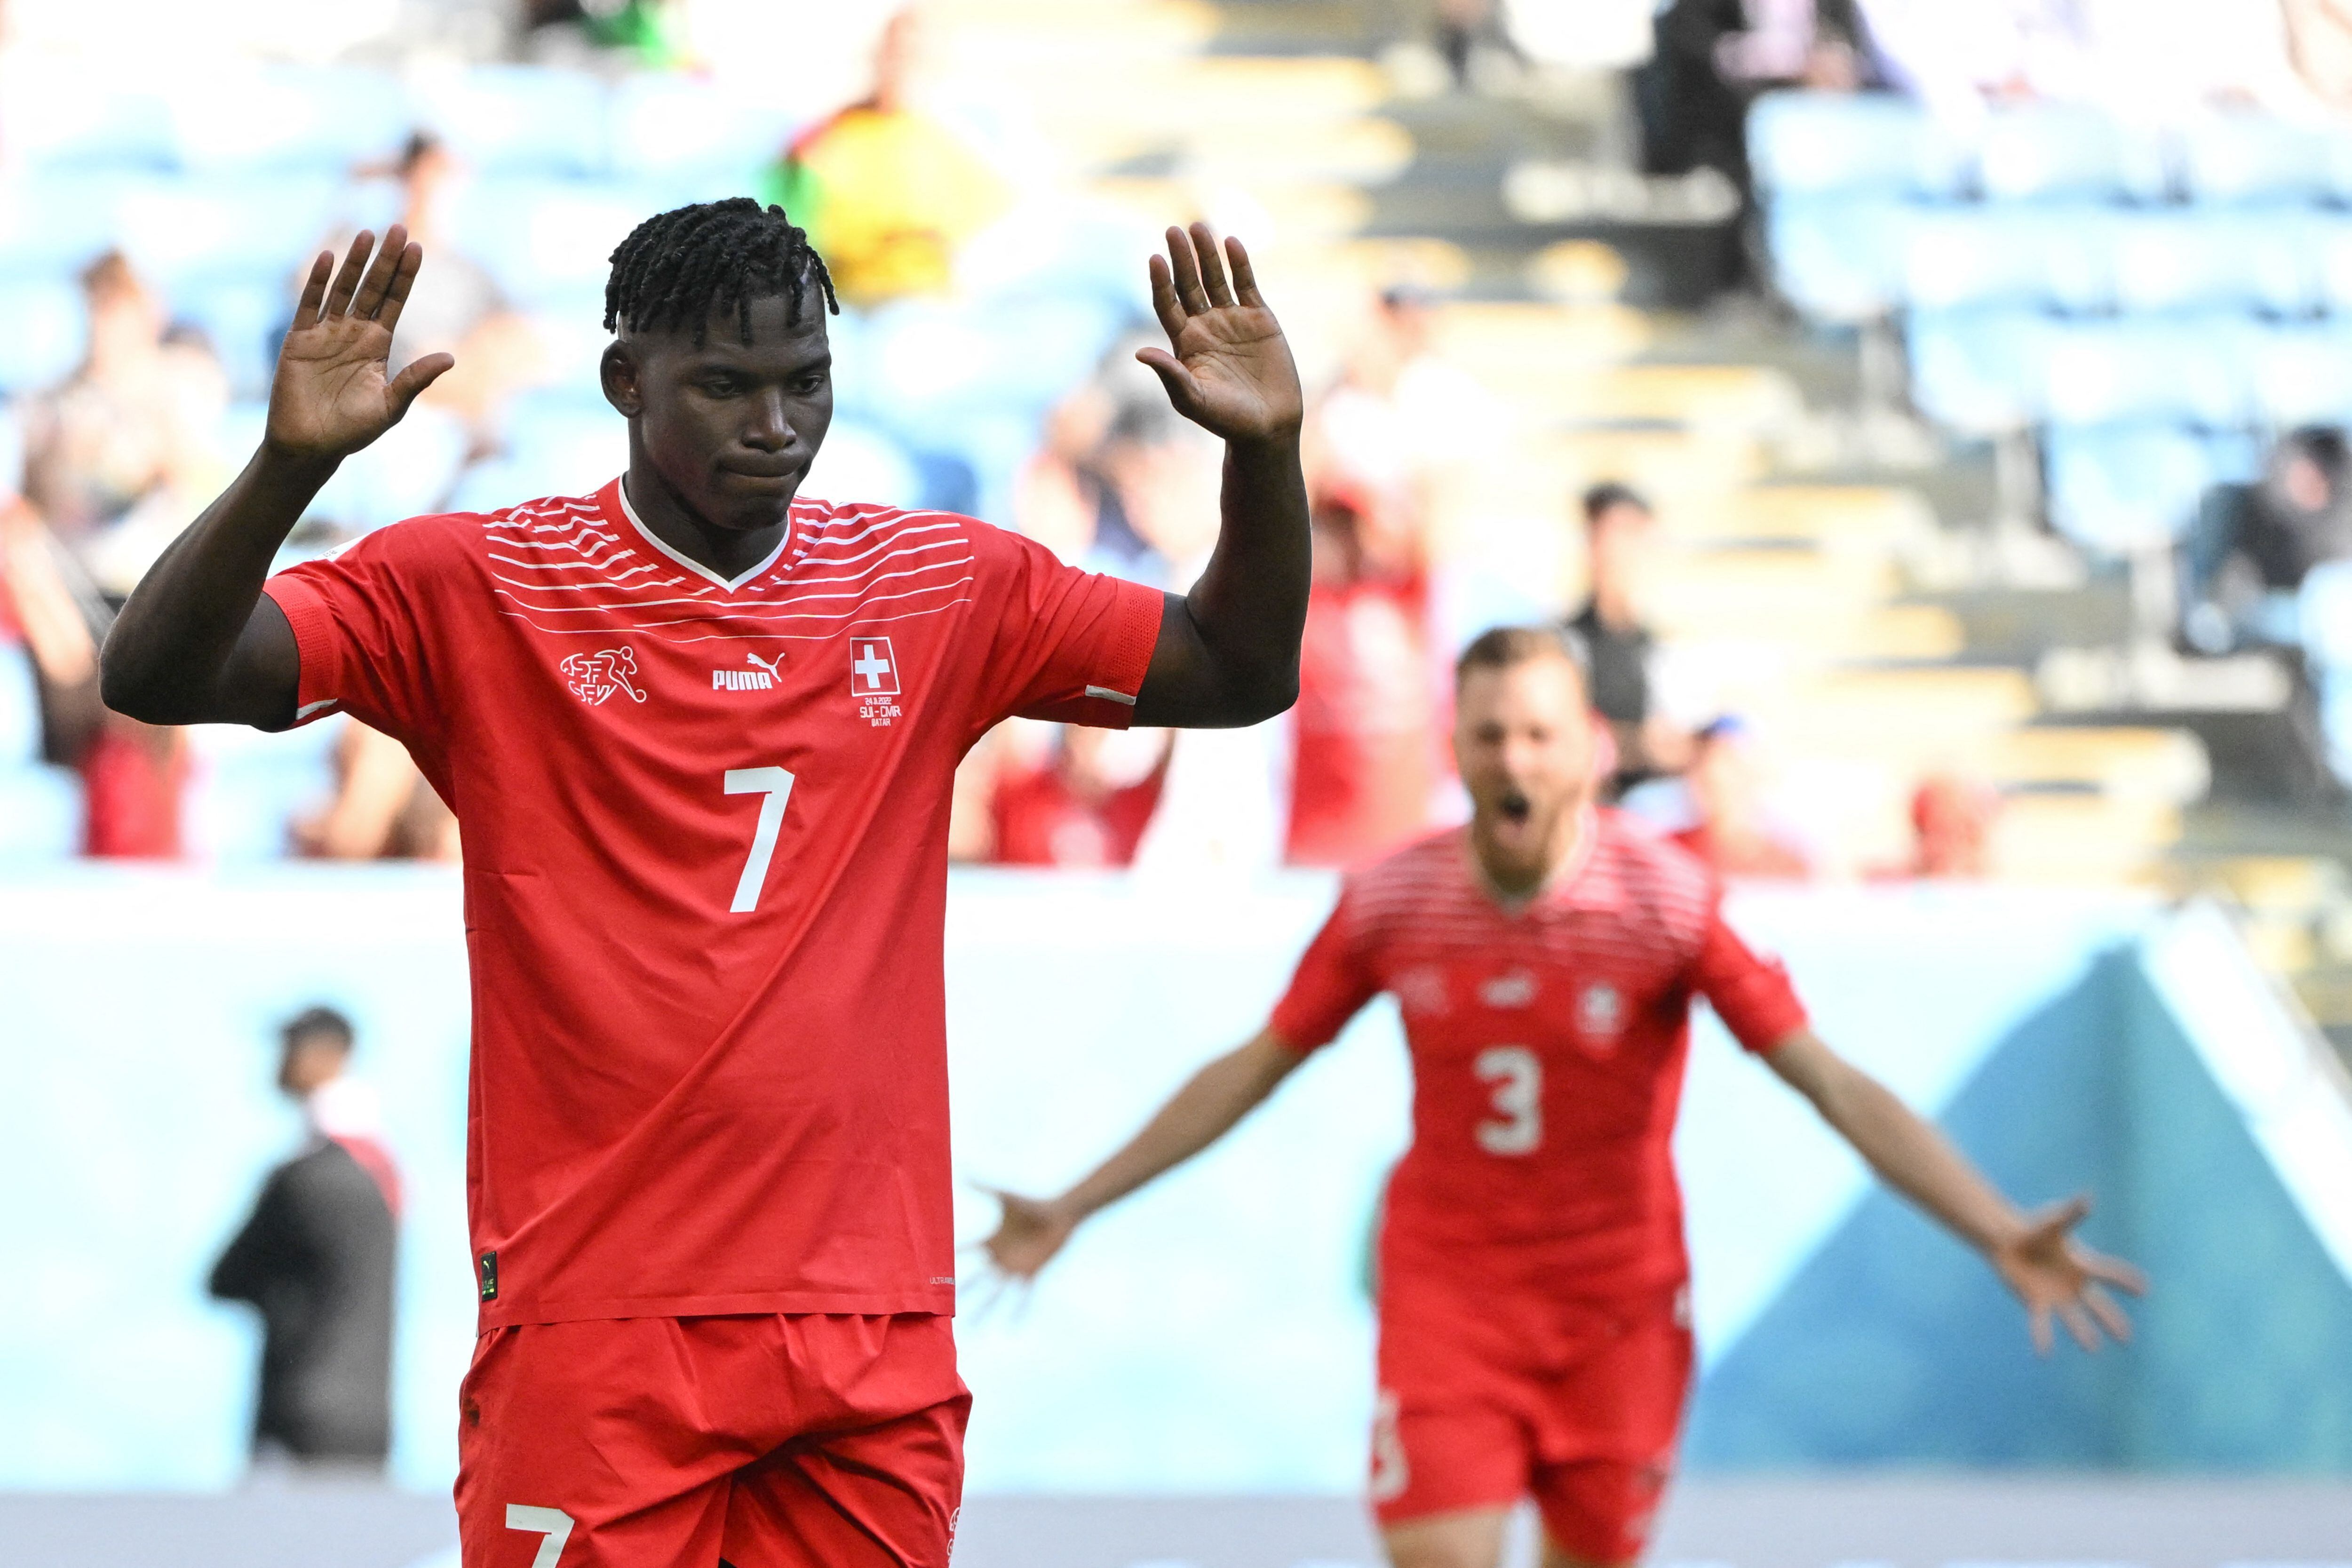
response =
{"points": [[707, 836]]}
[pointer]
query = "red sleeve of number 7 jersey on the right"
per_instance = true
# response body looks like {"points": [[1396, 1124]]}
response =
{"points": [[1064, 643]]}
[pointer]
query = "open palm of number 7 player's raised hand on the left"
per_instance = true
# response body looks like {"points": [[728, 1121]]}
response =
{"points": [[335, 389]]}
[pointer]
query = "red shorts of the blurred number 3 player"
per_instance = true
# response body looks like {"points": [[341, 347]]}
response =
{"points": [[1497, 1398]]}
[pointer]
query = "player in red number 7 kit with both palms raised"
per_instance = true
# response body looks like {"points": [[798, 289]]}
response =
{"points": [[700, 739]]}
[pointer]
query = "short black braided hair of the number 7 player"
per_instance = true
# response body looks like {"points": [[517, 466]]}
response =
{"points": [[683, 267]]}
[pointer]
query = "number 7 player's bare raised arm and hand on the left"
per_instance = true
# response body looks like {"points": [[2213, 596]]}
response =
{"points": [[199, 643]]}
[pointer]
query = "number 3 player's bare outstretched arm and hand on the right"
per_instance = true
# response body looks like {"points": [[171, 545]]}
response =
{"points": [[2033, 1254]]}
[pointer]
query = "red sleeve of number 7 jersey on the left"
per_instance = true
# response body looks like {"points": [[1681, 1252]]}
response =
{"points": [[361, 622]]}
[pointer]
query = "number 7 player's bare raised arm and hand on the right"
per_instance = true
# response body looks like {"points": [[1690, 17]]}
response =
{"points": [[1229, 650]]}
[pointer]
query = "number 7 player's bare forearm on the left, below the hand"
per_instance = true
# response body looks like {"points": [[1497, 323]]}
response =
{"points": [[171, 648]]}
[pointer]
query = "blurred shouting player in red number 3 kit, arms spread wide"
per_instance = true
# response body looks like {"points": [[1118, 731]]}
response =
{"points": [[1532, 1287]]}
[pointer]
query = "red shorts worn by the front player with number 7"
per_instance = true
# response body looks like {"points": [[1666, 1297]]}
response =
{"points": [[763, 1442]]}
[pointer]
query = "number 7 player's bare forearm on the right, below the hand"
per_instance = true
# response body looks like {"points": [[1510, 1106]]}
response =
{"points": [[1252, 601]]}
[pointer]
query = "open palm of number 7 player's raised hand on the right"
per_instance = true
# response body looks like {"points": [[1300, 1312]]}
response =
{"points": [[1231, 370]]}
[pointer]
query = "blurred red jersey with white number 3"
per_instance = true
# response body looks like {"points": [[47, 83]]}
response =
{"points": [[1549, 1047]]}
